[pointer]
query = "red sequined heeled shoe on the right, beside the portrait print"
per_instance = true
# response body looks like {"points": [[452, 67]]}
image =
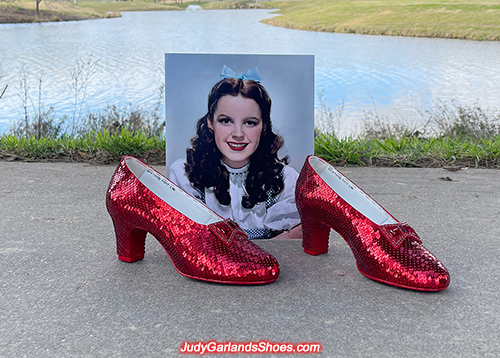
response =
{"points": [[385, 249]]}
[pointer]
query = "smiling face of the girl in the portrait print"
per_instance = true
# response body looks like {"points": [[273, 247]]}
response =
{"points": [[237, 126]]}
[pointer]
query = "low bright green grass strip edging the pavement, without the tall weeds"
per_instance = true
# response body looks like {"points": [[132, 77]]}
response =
{"points": [[104, 148]]}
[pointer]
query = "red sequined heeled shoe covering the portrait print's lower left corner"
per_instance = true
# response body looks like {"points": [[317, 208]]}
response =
{"points": [[199, 242]]}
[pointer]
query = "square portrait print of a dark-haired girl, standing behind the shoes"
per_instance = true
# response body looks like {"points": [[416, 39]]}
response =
{"points": [[228, 152]]}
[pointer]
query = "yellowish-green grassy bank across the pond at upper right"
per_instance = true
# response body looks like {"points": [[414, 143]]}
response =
{"points": [[471, 19]]}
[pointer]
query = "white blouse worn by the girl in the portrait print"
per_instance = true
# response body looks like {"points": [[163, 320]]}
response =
{"points": [[262, 220]]}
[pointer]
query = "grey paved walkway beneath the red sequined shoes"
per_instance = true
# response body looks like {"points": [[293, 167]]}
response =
{"points": [[64, 293]]}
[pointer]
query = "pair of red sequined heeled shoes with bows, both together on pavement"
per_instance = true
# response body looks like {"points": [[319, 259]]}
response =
{"points": [[204, 246]]}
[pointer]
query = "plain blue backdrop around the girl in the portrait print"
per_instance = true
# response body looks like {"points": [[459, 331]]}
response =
{"points": [[288, 79]]}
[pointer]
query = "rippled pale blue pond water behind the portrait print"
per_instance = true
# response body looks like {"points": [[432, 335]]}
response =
{"points": [[121, 62]]}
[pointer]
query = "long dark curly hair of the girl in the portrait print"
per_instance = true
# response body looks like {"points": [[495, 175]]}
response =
{"points": [[203, 166]]}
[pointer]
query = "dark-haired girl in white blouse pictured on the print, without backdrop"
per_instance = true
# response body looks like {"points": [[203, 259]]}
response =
{"points": [[233, 164]]}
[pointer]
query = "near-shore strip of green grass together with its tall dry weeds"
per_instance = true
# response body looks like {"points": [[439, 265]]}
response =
{"points": [[458, 137]]}
